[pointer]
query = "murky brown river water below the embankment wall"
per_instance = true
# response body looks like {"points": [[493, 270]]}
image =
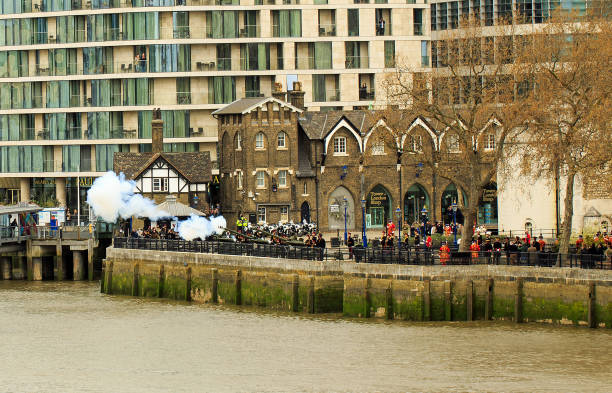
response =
{"points": [[67, 337]]}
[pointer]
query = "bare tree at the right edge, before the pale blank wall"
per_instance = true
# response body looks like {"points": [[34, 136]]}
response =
{"points": [[570, 131]]}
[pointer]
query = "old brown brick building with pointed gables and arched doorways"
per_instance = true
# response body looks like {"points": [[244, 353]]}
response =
{"points": [[281, 163]]}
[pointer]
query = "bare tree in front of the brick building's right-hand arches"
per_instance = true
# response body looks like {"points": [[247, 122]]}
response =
{"points": [[471, 97]]}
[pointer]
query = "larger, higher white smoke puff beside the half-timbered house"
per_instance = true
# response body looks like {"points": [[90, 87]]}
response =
{"points": [[112, 196]]}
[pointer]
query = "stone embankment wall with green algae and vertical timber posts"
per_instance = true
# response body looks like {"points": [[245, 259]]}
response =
{"points": [[403, 292]]}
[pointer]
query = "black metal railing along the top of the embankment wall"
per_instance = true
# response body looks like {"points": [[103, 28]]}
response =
{"points": [[404, 256]]}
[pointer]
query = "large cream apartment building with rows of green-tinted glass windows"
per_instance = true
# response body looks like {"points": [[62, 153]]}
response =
{"points": [[79, 78]]}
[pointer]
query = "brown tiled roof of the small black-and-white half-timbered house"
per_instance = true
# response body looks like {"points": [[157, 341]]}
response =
{"points": [[193, 166]]}
